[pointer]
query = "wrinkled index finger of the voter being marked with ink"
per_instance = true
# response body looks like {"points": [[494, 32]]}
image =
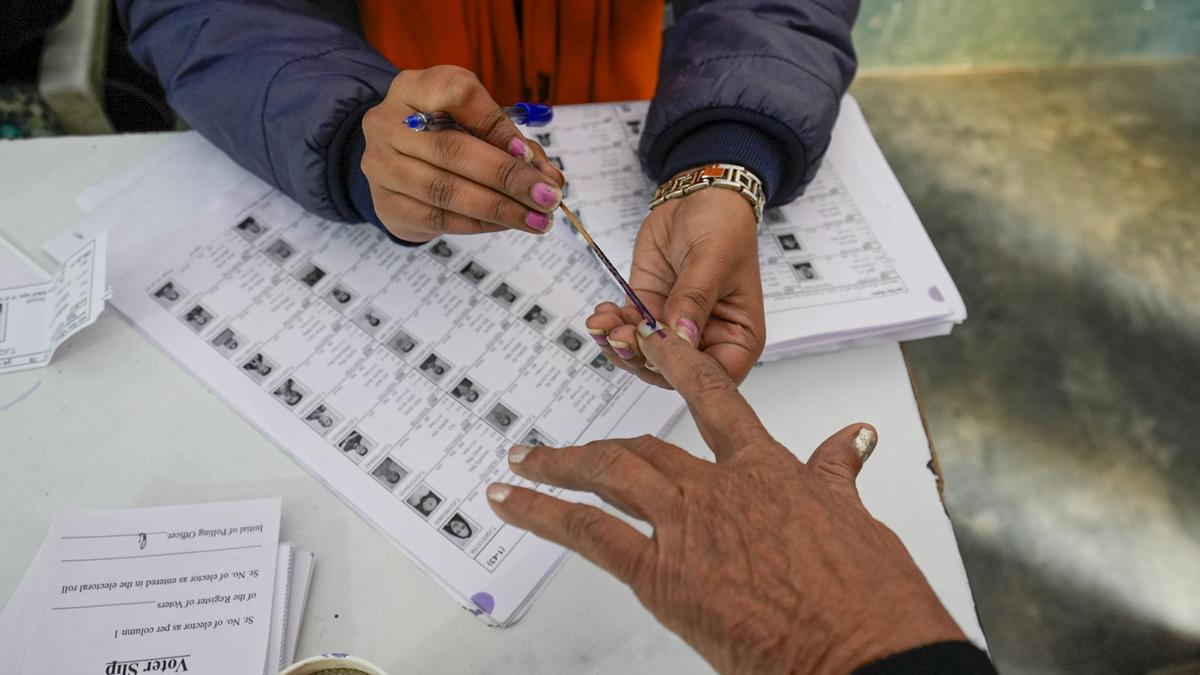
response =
{"points": [[725, 420]]}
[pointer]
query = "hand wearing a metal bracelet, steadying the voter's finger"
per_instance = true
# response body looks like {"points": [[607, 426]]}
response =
{"points": [[697, 268]]}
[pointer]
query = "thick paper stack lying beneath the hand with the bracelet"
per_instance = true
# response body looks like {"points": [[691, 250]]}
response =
{"points": [[848, 264]]}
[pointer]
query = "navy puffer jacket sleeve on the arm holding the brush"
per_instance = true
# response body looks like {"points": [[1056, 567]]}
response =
{"points": [[278, 85]]}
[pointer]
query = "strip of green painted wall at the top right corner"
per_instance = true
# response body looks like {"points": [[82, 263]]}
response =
{"points": [[923, 34]]}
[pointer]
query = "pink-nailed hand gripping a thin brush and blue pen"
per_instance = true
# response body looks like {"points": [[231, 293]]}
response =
{"points": [[487, 178]]}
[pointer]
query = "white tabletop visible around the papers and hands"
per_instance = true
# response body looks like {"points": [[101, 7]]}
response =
{"points": [[113, 422]]}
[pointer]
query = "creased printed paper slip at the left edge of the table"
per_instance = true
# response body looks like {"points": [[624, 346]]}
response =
{"points": [[38, 316]]}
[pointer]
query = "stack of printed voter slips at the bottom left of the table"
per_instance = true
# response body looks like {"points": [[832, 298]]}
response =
{"points": [[188, 589]]}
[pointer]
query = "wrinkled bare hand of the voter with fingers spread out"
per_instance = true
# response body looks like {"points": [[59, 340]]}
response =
{"points": [[761, 563]]}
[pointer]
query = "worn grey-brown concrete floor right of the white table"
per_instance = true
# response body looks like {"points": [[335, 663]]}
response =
{"points": [[1066, 411]]}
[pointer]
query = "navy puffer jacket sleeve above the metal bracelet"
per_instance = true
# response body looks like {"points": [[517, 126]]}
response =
{"points": [[752, 82]]}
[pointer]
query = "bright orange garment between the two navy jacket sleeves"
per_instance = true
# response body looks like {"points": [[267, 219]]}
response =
{"points": [[567, 51]]}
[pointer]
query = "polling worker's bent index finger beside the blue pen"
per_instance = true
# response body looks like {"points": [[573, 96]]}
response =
{"points": [[458, 92]]}
